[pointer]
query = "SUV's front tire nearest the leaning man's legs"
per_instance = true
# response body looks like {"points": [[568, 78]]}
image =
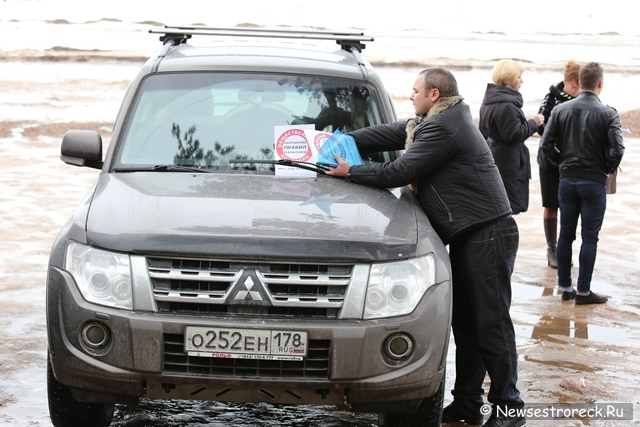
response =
{"points": [[429, 413]]}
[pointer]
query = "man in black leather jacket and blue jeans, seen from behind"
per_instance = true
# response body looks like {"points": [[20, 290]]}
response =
{"points": [[583, 137]]}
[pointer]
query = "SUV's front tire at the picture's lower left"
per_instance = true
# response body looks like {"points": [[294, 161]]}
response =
{"points": [[66, 411]]}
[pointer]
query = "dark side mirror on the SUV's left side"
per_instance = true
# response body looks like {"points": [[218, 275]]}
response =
{"points": [[82, 148]]}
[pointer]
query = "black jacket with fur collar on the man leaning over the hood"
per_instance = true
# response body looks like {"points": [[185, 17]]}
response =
{"points": [[458, 183]]}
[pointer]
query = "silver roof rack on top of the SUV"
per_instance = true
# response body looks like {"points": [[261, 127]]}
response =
{"points": [[349, 41]]}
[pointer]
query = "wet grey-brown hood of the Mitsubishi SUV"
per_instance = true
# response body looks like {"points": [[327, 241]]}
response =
{"points": [[250, 216]]}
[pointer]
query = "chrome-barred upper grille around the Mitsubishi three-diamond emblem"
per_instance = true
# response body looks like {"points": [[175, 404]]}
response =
{"points": [[188, 286]]}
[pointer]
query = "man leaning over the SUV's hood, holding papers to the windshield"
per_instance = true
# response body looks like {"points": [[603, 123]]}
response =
{"points": [[449, 165]]}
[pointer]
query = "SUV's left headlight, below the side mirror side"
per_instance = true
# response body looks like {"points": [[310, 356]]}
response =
{"points": [[103, 277]]}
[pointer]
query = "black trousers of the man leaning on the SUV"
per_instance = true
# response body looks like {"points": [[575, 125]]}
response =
{"points": [[482, 261]]}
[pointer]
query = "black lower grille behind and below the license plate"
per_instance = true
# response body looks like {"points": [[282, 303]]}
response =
{"points": [[315, 365]]}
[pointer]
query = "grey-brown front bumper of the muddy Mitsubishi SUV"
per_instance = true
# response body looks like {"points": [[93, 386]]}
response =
{"points": [[135, 363]]}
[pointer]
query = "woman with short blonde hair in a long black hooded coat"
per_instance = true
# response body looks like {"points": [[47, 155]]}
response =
{"points": [[504, 125]]}
